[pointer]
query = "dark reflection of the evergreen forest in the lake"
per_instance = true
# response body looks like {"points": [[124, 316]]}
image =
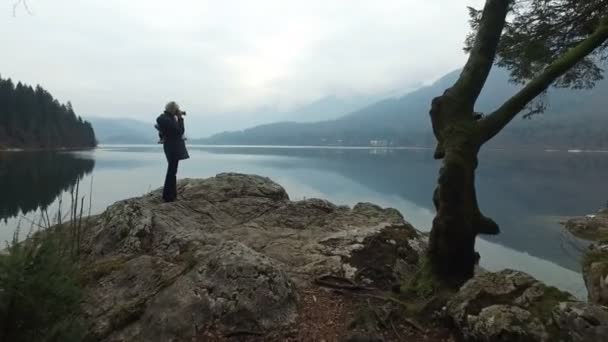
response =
{"points": [[32, 180]]}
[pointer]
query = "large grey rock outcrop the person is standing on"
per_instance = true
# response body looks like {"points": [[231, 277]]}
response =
{"points": [[229, 255]]}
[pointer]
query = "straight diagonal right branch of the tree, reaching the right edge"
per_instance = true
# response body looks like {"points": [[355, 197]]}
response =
{"points": [[496, 121]]}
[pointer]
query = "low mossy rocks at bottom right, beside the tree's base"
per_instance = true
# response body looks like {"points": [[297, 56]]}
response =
{"points": [[512, 306]]}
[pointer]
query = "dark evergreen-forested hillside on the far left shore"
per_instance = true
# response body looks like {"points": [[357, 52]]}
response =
{"points": [[32, 118]]}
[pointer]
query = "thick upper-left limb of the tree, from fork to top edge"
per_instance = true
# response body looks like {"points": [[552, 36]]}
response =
{"points": [[481, 57]]}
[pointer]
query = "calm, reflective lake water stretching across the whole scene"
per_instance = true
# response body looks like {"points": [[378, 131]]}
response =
{"points": [[526, 193]]}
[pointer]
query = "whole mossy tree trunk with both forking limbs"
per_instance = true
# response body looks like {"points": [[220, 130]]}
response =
{"points": [[460, 135]]}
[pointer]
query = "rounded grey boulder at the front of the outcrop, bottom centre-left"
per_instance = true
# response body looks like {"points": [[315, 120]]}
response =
{"points": [[236, 289]]}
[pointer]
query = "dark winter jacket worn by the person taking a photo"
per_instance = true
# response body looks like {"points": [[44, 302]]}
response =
{"points": [[172, 133]]}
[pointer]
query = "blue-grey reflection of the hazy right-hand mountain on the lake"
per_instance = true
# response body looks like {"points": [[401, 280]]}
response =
{"points": [[527, 193]]}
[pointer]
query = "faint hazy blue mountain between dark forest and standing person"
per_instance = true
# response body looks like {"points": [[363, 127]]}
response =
{"points": [[123, 131]]}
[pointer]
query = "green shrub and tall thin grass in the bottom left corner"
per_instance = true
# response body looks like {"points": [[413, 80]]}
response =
{"points": [[40, 290]]}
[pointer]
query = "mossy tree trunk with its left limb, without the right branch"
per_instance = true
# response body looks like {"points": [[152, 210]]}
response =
{"points": [[459, 136]]}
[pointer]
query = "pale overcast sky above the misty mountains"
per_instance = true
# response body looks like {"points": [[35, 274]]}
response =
{"points": [[228, 62]]}
